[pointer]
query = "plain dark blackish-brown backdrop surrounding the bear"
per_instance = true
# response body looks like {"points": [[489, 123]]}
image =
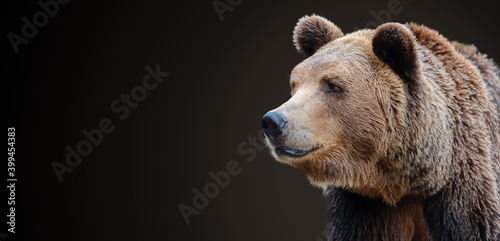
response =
{"points": [[224, 75]]}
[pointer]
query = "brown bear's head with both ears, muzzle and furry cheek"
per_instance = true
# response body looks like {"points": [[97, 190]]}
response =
{"points": [[355, 118]]}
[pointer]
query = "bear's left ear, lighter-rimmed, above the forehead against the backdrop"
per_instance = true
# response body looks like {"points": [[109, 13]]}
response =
{"points": [[312, 32]]}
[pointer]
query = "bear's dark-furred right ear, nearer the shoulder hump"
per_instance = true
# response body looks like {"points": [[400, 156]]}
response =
{"points": [[394, 44]]}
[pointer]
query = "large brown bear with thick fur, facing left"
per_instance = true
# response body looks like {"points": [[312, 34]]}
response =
{"points": [[399, 126]]}
